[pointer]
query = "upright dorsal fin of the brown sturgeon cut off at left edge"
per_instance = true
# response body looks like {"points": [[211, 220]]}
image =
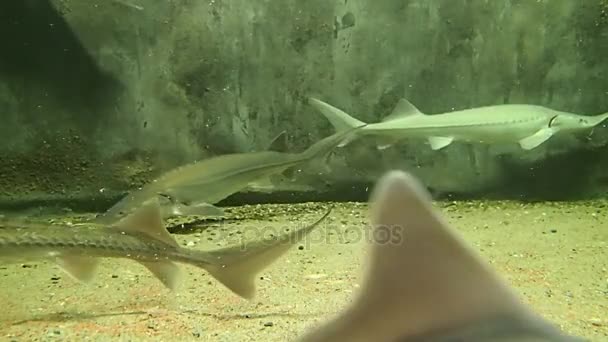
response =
{"points": [[147, 220]]}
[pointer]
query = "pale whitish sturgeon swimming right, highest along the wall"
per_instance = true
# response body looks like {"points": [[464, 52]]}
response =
{"points": [[527, 125]]}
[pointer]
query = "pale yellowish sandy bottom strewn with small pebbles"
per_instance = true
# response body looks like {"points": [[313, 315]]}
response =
{"points": [[554, 254]]}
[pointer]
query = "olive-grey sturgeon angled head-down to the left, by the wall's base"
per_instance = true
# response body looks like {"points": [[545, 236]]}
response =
{"points": [[194, 188]]}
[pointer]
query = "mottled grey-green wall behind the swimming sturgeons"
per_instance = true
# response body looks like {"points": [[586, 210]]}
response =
{"points": [[121, 90]]}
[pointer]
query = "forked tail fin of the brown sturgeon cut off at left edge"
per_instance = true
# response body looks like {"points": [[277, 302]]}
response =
{"points": [[240, 264]]}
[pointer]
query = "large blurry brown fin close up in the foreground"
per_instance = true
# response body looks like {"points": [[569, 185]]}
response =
{"points": [[424, 283]]}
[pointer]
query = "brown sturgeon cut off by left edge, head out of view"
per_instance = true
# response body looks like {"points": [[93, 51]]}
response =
{"points": [[141, 237]]}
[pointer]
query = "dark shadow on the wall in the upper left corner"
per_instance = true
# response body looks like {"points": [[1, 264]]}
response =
{"points": [[38, 50]]}
